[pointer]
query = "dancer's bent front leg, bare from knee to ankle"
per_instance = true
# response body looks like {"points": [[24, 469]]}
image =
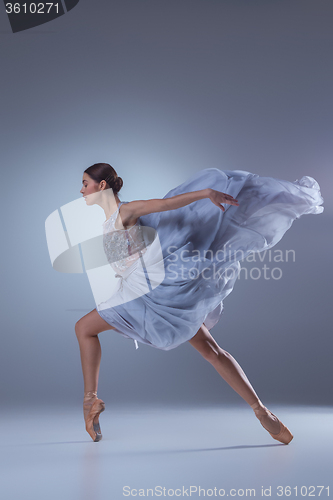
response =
{"points": [[87, 330]]}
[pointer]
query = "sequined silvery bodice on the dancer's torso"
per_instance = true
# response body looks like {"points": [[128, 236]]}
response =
{"points": [[122, 246]]}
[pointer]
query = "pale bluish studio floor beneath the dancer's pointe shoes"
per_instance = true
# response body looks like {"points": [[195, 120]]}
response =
{"points": [[164, 452]]}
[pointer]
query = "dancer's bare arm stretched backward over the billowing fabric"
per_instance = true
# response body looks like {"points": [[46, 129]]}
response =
{"points": [[135, 209]]}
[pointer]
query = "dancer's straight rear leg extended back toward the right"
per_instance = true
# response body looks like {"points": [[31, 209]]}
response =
{"points": [[233, 374]]}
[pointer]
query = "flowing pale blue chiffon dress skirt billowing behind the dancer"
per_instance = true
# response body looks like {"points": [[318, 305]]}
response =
{"points": [[202, 247]]}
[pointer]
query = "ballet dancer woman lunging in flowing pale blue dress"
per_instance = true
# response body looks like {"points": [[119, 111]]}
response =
{"points": [[258, 211]]}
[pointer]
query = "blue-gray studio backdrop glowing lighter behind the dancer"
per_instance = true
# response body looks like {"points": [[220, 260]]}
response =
{"points": [[162, 89]]}
